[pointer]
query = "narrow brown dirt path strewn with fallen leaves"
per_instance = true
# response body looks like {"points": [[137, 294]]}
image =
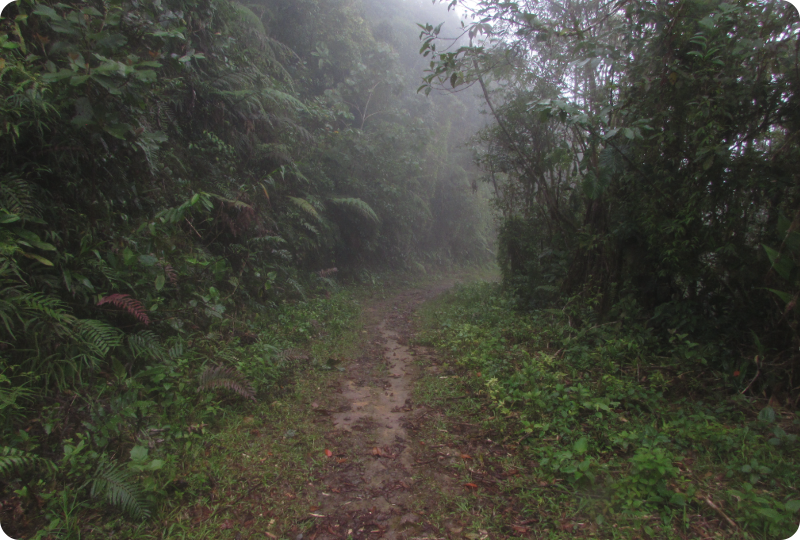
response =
{"points": [[369, 493]]}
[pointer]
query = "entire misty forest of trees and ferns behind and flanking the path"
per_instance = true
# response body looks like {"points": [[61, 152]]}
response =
{"points": [[174, 173]]}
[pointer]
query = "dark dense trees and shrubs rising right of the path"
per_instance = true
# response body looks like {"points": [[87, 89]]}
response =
{"points": [[646, 151]]}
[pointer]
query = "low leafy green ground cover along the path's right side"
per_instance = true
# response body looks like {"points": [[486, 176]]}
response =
{"points": [[616, 432]]}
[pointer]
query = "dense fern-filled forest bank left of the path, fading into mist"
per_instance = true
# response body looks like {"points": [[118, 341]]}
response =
{"points": [[173, 172]]}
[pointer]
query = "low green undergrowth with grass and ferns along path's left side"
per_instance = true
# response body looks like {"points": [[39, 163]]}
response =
{"points": [[165, 436]]}
